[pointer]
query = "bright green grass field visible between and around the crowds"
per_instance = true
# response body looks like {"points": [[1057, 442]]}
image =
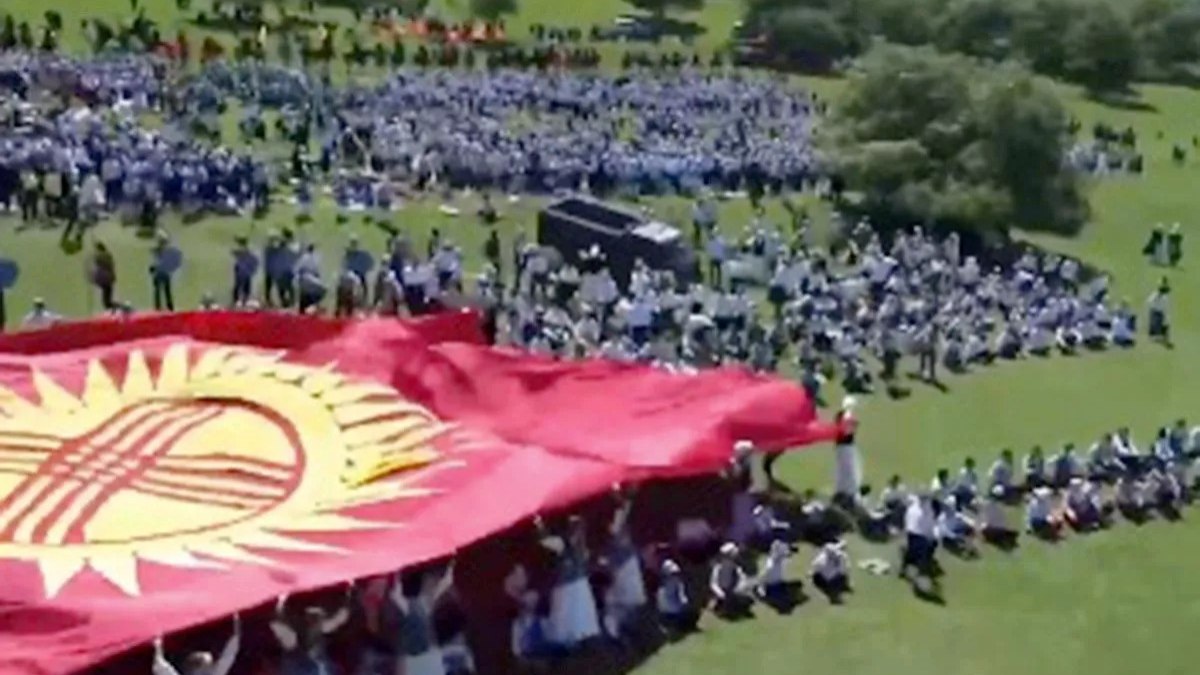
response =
{"points": [[1109, 605]]}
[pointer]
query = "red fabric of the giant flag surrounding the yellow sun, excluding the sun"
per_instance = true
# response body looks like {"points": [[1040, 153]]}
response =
{"points": [[532, 437]]}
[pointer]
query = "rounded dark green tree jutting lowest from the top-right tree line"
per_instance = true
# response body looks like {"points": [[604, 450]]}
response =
{"points": [[1102, 50]]}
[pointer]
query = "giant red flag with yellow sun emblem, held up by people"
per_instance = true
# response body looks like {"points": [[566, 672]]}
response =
{"points": [[161, 473]]}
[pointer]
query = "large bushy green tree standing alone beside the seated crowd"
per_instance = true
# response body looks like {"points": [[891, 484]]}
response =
{"points": [[929, 138]]}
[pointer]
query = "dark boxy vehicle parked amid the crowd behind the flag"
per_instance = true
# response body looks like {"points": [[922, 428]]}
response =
{"points": [[574, 225]]}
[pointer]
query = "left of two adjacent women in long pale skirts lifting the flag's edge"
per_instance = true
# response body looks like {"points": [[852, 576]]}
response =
{"points": [[574, 618]]}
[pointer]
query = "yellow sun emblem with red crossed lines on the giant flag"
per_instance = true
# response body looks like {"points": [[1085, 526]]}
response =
{"points": [[194, 464]]}
